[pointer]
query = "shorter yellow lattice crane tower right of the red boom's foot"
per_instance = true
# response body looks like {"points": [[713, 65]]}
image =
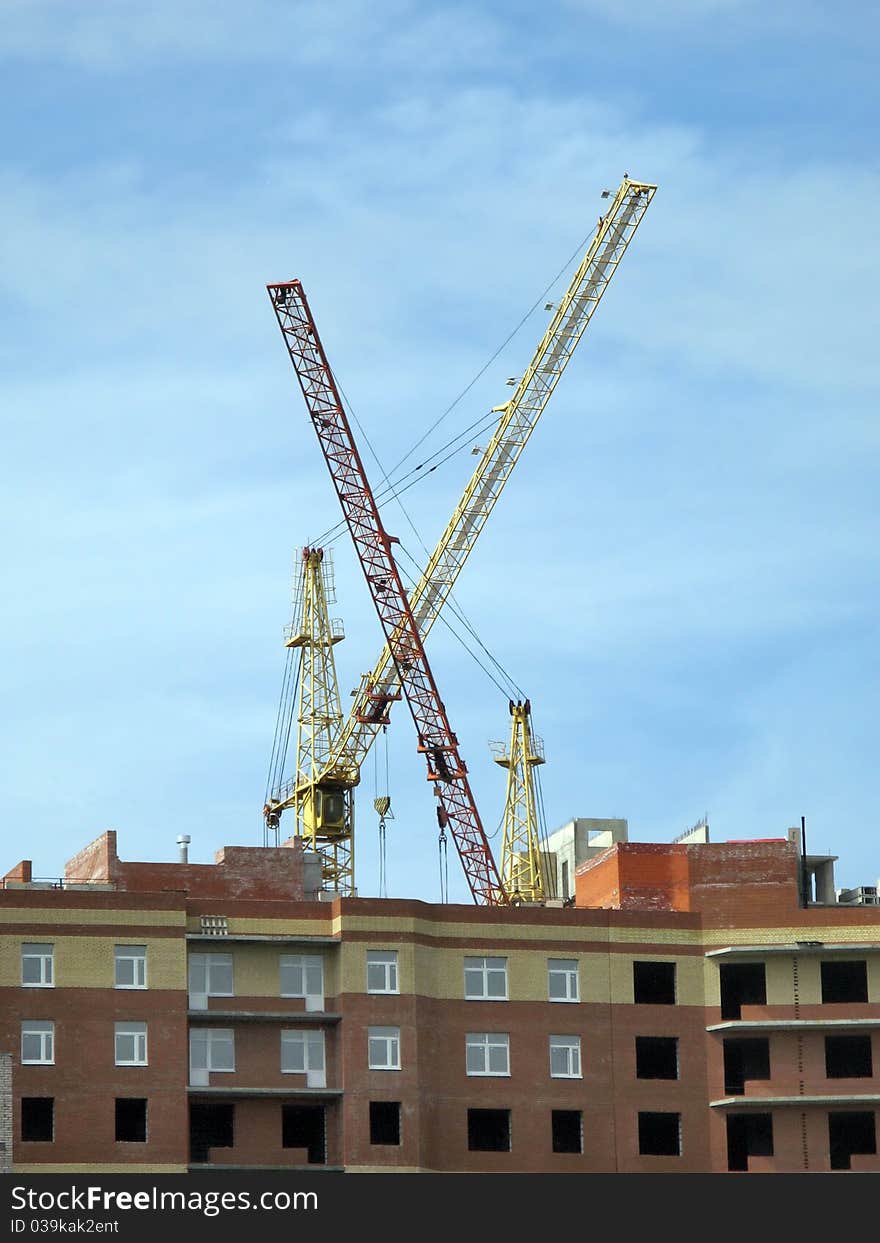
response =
{"points": [[523, 868]]}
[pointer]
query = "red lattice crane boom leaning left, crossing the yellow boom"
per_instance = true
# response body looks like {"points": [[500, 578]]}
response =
{"points": [[447, 770]]}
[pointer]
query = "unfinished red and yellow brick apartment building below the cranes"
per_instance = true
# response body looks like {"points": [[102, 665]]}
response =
{"points": [[689, 1007]]}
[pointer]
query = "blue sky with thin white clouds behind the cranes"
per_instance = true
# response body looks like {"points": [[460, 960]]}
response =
{"points": [[682, 574]]}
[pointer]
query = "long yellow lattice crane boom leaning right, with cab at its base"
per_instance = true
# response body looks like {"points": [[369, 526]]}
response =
{"points": [[519, 418]]}
